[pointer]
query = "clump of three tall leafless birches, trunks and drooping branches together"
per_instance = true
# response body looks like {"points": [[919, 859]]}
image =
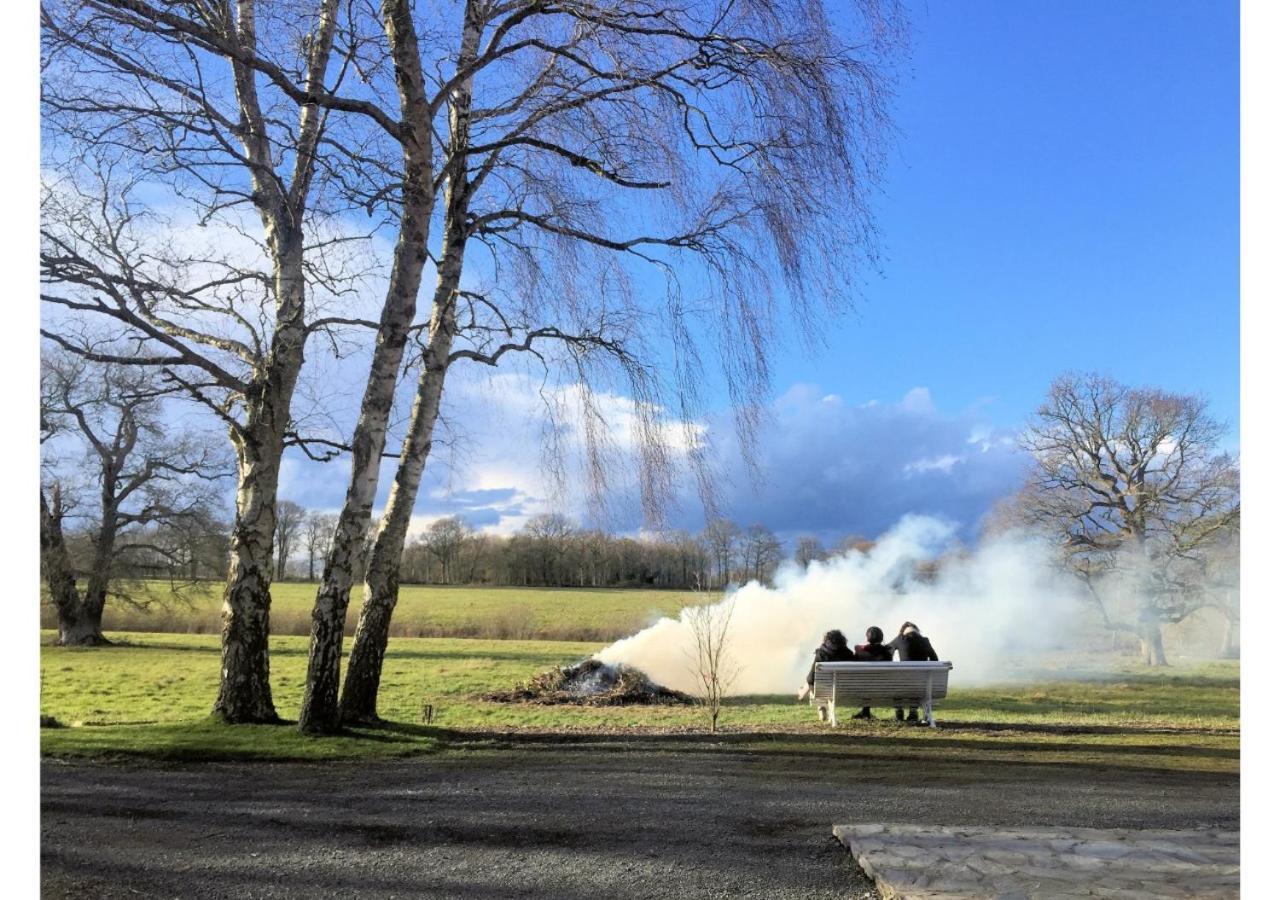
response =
{"points": [[642, 182]]}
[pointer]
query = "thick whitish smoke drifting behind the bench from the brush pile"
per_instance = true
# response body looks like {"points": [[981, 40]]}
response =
{"points": [[1003, 600]]}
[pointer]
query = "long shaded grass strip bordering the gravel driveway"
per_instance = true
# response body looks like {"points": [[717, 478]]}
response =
{"points": [[939, 755]]}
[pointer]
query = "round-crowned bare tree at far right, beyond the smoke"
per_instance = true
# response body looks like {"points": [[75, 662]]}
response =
{"points": [[1135, 488]]}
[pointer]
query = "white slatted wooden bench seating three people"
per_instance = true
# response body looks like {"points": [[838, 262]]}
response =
{"points": [[877, 684]]}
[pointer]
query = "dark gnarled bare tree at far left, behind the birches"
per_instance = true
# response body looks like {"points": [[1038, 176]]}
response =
{"points": [[111, 418]]}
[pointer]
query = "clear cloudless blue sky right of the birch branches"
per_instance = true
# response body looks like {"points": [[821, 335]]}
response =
{"points": [[1064, 195]]}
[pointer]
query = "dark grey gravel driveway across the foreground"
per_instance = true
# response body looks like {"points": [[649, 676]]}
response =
{"points": [[545, 819]]}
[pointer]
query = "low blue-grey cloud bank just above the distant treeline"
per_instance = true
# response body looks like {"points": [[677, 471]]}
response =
{"points": [[825, 467]]}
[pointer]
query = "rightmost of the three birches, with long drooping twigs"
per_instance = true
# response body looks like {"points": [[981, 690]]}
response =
{"points": [[625, 140]]}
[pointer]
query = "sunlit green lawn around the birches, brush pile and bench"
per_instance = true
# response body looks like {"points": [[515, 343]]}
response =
{"points": [[152, 695]]}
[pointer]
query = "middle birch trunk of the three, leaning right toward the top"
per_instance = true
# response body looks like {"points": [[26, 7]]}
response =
{"points": [[319, 714]]}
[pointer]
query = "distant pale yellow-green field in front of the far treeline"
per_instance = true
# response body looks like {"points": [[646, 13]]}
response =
{"points": [[428, 611]]}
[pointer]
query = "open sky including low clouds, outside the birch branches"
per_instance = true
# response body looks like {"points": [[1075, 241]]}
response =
{"points": [[1063, 195]]}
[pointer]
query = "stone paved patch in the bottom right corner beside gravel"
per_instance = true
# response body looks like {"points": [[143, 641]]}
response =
{"points": [[940, 864]]}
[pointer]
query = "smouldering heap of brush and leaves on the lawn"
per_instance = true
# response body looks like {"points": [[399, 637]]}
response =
{"points": [[593, 684]]}
